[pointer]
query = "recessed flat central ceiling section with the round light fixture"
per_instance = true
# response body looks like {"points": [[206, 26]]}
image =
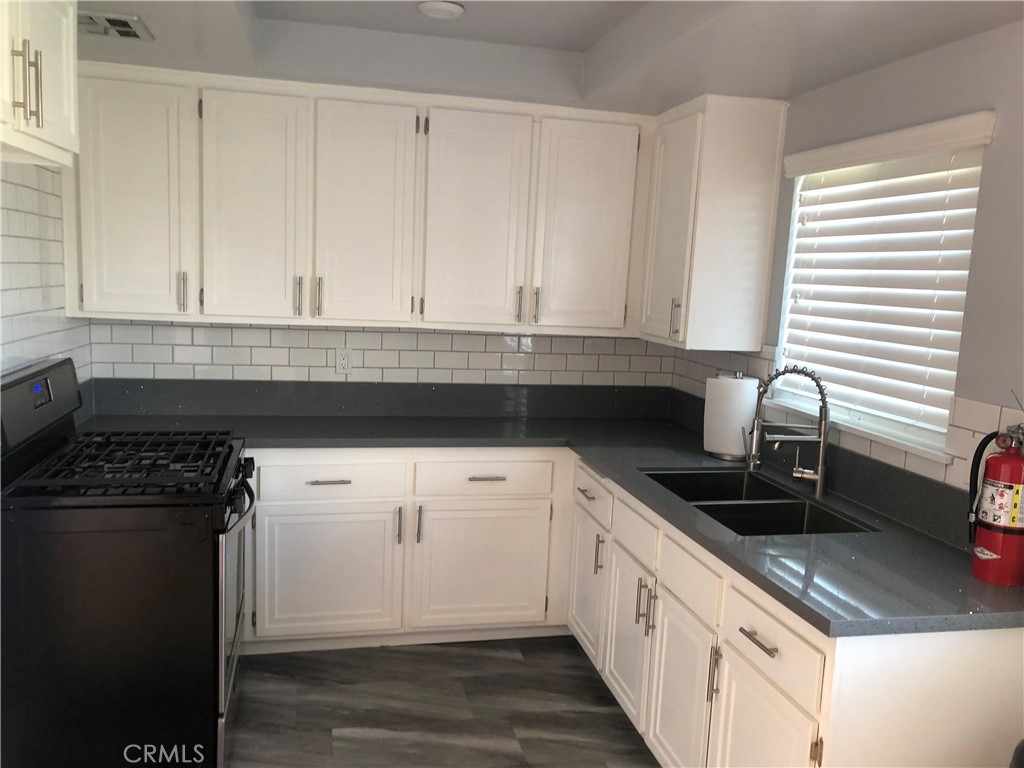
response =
{"points": [[563, 26]]}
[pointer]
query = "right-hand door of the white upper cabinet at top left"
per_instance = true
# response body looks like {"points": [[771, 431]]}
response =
{"points": [[52, 29]]}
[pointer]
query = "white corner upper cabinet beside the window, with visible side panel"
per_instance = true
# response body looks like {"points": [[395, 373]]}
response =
{"points": [[711, 224]]}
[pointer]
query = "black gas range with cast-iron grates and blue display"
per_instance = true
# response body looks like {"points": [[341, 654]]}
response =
{"points": [[122, 589]]}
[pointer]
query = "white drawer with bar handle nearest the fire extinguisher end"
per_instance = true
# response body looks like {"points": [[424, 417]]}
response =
{"points": [[797, 667]]}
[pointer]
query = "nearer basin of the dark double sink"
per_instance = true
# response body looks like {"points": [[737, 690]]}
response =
{"points": [[781, 519]]}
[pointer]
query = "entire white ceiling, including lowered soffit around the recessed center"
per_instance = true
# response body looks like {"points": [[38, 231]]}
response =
{"points": [[629, 57]]}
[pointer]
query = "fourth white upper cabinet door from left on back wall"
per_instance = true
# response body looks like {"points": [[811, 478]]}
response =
{"points": [[478, 194]]}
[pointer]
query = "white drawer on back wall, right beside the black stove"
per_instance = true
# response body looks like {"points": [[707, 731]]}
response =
{"points": [[328, 482]]}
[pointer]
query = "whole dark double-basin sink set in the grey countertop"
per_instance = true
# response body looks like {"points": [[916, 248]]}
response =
{"points": [[750, 505]]}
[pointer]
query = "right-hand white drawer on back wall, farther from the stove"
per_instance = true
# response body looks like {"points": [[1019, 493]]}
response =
{"points": [[484, 479]]}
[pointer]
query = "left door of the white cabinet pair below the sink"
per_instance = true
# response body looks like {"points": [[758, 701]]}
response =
{"points": [[627, 646]]}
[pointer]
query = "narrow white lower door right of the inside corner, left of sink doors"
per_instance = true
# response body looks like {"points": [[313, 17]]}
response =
{"points": [[588, 583]]}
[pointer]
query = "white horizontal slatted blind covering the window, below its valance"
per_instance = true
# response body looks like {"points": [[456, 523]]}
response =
{"points": [[879, 261]]}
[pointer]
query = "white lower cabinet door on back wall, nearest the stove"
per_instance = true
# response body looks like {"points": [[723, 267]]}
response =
{"points": [[328, 569]]}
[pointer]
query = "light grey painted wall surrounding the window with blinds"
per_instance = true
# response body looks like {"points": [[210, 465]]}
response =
{"points": [[986, 72]]}
